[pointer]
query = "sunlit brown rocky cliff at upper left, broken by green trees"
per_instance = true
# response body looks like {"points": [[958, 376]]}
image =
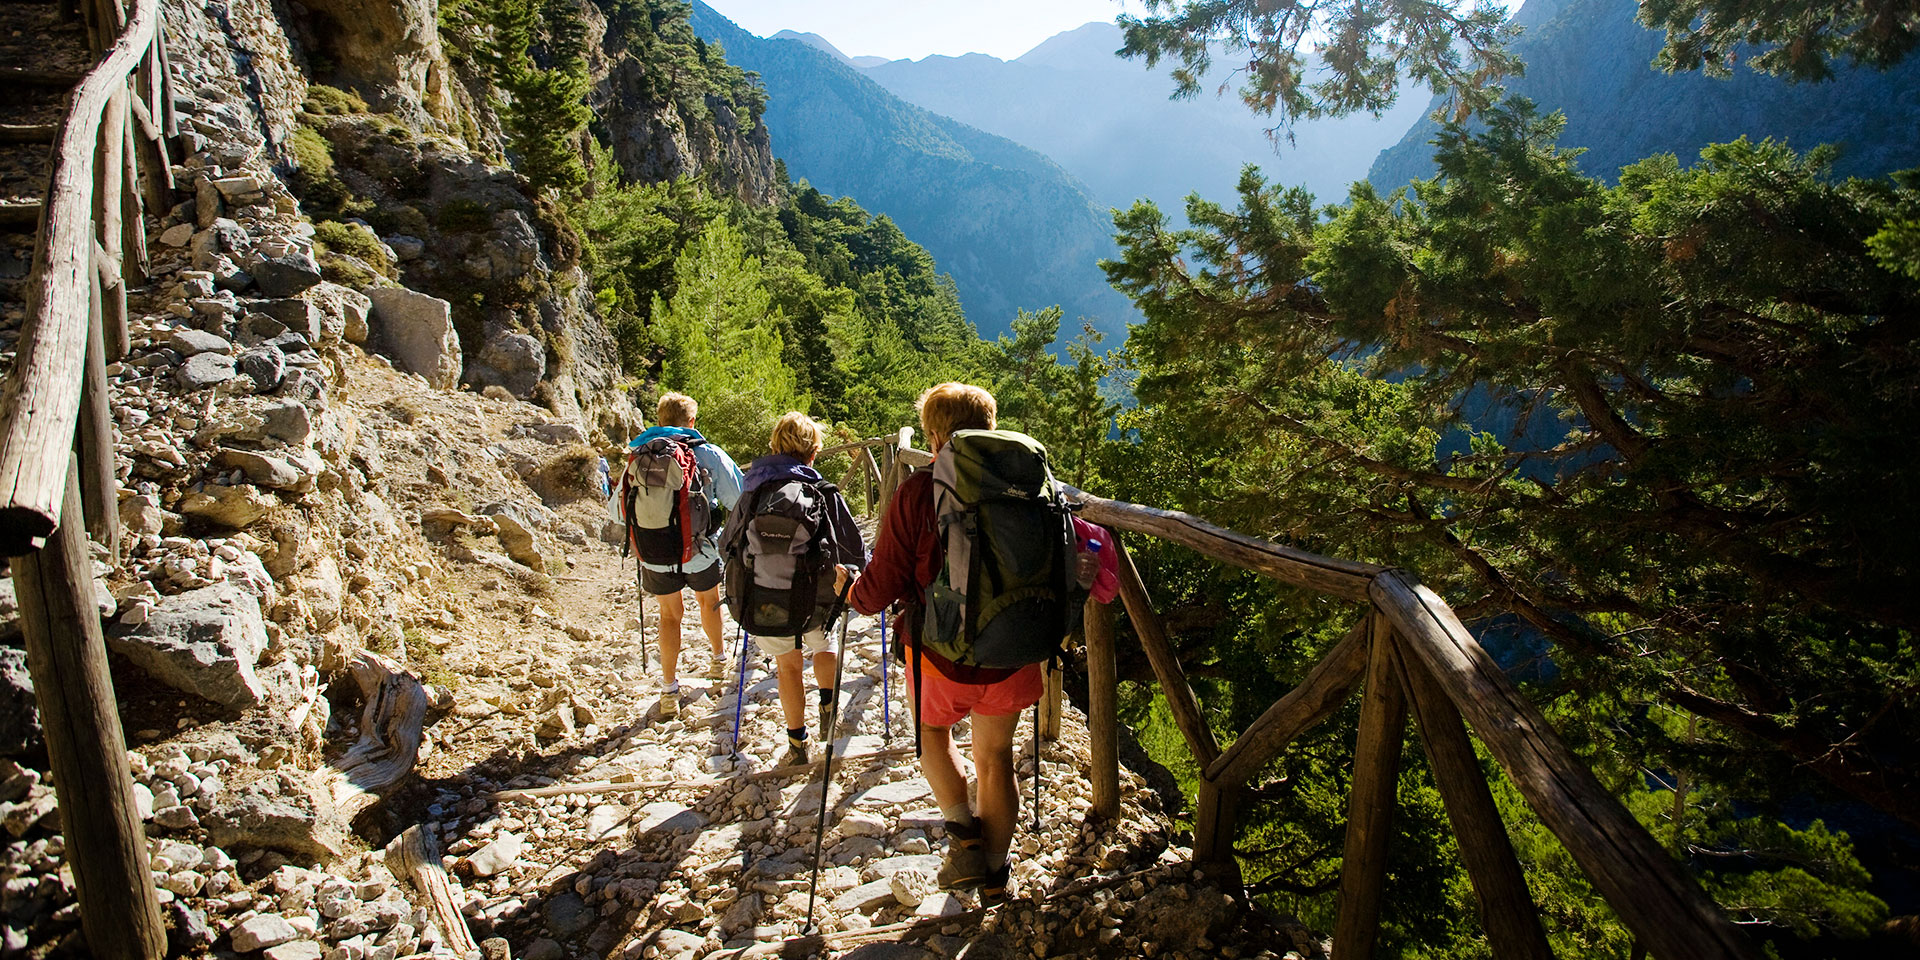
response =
{"points": [[420, 160]]}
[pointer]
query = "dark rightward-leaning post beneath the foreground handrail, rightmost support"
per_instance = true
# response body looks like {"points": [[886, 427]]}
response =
{"points": [[1508, 913]]}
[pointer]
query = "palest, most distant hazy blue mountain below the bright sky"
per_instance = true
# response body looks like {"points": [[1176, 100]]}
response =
{"points": [[1111, 124]]}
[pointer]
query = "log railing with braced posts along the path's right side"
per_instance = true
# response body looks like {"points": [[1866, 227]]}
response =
{"points": [[1412, 658]]}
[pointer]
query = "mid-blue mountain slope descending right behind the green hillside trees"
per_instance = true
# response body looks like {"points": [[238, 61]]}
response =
{"points": [[1007, 224]]}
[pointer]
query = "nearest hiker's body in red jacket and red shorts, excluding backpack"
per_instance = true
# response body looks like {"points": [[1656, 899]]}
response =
{"points": [[907, 560]]}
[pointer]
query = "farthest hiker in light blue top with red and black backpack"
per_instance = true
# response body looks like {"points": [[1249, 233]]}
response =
{"points": [[671, 491]]}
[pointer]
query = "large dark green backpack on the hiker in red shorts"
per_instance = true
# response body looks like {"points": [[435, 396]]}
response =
{"points": [[1007, 594]]}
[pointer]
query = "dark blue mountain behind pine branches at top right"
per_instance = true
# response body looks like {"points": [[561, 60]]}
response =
{"points": [[1591, 60]]}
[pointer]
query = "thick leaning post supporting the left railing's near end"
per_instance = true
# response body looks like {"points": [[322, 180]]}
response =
{"points": [[68, 660]]}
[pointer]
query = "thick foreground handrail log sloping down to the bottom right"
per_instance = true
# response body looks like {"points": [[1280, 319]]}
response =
{"points": [[1656, 900]]}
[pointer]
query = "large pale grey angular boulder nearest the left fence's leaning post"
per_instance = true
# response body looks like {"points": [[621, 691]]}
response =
{"points": [[203, 642]]}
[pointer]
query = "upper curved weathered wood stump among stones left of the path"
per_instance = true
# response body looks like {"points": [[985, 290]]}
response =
{"points": [[393, 729]]}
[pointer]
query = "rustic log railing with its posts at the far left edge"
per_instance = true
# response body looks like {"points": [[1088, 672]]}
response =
{"points": [[57, 458]]}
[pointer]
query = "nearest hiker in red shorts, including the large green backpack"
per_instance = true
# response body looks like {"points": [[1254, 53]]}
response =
{"points": [[986, 556]]}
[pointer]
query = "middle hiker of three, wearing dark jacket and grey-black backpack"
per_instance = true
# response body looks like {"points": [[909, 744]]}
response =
{"points": [[780, 548]]}
